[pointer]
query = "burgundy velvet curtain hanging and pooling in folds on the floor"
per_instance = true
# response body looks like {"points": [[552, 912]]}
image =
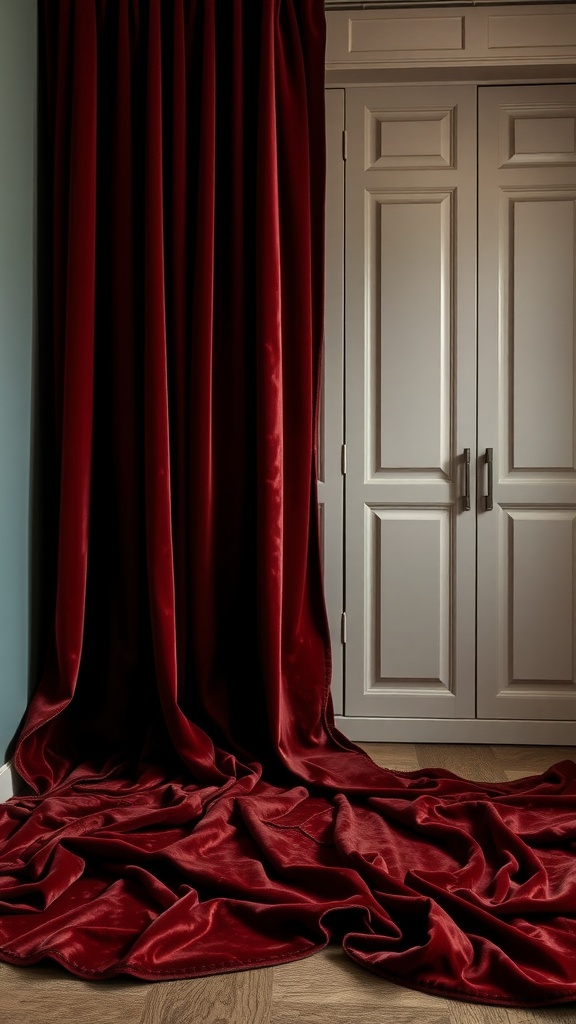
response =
{"points": [[192, 809]]}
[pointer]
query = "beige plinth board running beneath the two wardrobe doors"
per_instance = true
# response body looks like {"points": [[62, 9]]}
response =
{"points": [[427, 731]]}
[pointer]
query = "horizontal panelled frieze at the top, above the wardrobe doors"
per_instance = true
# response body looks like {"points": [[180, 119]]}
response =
{"points": [[436, 37]]}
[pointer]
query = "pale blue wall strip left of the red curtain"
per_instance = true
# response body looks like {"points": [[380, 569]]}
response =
{"points": [[18, 114]]}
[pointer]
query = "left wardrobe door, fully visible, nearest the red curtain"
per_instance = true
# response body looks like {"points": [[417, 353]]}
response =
{"points": [[410, 369]]}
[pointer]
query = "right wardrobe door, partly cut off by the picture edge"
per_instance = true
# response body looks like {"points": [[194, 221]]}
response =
{"points": [[527, 410]]}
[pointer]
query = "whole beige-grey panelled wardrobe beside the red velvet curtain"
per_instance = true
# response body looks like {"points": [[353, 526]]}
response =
{"points": [[448, 438]]}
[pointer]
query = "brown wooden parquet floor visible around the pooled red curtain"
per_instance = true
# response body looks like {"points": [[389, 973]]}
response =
{"points": [[327, 989]]}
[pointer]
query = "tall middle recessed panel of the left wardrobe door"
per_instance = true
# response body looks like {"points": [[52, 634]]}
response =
{"points": [[414, 360]]}
